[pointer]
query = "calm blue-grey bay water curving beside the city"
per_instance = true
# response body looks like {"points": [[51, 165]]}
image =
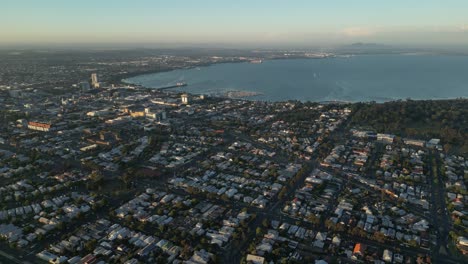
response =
{"points": [[360, 78]]}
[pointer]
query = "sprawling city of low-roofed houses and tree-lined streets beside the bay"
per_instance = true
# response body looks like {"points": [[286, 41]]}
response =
{"points": [[108, 172]]}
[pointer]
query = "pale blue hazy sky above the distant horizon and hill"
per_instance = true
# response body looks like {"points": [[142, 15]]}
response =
{"points": [[253, 23]]}
